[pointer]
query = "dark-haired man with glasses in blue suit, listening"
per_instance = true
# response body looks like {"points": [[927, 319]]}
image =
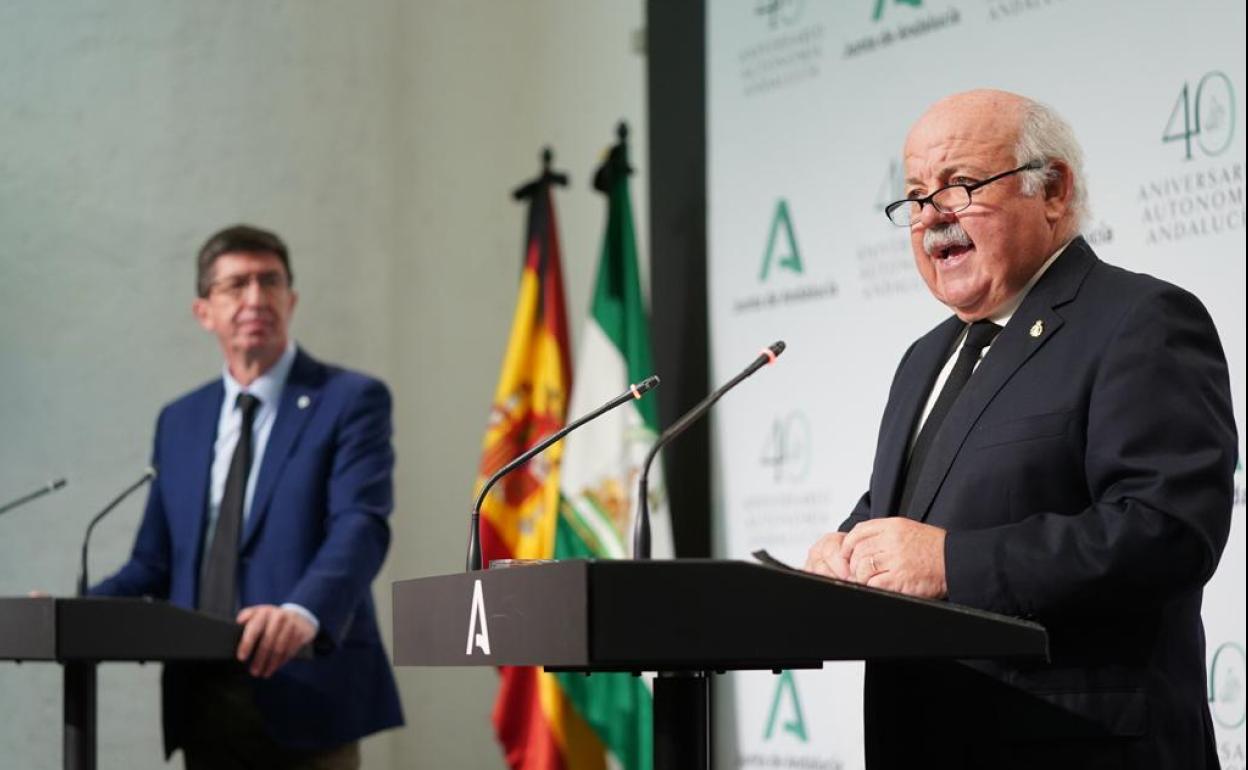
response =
{"points": [[271, 509]]}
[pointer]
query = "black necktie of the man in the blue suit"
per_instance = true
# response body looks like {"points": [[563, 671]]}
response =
{"points": [[219, 573]]}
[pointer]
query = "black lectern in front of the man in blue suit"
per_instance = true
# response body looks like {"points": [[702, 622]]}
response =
{"points": [[82, 633]]}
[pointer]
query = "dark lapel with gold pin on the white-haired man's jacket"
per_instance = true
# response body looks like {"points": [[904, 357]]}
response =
{"points": [[1030, 329]]}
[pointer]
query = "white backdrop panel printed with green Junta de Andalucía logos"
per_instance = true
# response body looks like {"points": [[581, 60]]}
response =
{"points": [[809, 104]]}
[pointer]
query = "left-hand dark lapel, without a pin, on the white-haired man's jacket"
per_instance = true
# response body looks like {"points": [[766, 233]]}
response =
{"points": [[914, 384]]}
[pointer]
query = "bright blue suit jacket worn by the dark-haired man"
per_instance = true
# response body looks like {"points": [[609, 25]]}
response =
{"points": [[316, 536]]}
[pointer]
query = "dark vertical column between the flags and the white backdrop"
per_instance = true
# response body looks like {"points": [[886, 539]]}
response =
{"points": [[677, 103]]}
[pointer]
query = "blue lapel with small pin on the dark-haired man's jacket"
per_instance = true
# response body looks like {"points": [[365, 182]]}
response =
{"points": [[299, 401]]}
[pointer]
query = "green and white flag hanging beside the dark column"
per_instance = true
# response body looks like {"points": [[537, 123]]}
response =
{"points": [[602, 462]]}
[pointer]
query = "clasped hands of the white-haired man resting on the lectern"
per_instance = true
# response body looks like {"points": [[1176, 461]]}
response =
{"points": [[892, 553]]}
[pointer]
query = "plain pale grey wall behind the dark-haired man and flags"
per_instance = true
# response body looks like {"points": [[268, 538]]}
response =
{"points": [[383, 140]]}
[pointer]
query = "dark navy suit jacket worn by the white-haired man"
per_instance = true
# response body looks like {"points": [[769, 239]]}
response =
{"points": [[1085, 481]]}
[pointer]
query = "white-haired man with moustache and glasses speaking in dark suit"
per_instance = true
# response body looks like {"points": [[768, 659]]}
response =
{"points": [[1061, 449]]}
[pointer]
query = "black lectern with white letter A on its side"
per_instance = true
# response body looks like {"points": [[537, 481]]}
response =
{"points": [[685, 620]]}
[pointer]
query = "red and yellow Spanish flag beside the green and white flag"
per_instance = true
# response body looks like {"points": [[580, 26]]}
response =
{"points": [[534, 718]]}
